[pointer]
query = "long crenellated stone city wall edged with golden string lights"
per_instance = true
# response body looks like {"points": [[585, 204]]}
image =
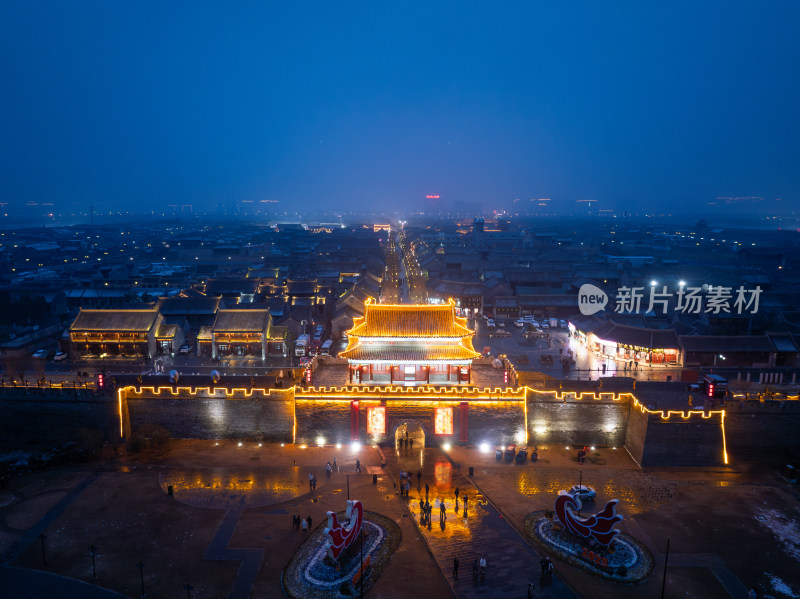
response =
{"points": [[691, 438]]}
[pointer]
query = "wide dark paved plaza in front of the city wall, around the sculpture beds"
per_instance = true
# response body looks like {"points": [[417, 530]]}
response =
{"points": [[227, 531]]}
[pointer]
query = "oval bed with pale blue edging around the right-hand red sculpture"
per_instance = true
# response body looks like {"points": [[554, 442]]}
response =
{"points": [[624, 560]]}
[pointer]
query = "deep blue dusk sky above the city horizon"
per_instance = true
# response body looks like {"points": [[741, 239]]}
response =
{"points": [[136, 105]]}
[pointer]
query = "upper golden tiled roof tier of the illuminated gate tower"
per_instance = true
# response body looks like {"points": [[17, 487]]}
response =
{"points": [[410, 321]]}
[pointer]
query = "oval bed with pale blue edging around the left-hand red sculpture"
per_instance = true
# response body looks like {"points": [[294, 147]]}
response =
{"points": [[310, 573]]}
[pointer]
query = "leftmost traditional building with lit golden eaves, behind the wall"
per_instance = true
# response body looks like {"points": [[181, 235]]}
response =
{"points": [[129, 333]]}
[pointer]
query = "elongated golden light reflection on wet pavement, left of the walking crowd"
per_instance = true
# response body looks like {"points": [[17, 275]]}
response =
{"points": [[223, 487]]}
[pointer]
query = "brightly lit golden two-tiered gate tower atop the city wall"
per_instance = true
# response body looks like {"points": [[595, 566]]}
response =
{"points": [[410, 345]]}
